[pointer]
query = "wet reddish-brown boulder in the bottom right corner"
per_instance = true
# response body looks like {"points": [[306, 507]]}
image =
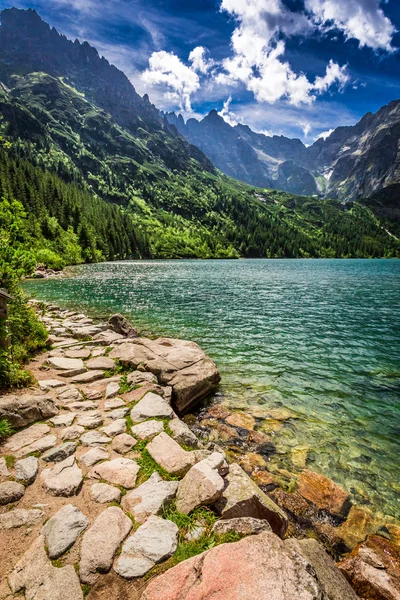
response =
{"points": [[373, 569]]}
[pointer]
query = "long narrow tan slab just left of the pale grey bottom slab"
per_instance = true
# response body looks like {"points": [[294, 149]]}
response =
{"points": [[100, 543]]}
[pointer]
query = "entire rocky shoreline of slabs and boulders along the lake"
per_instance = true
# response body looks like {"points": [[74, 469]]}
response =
{"points": [[110, 489]]}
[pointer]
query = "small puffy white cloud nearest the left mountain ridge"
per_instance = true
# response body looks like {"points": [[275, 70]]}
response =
{"points": [[166, 69]]}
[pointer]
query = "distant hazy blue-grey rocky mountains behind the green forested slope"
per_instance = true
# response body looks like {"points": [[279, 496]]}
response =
{"points": [[353, 162]]}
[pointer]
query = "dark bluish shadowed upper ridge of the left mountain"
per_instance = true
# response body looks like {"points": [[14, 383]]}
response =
{"points": [[28, 45]]}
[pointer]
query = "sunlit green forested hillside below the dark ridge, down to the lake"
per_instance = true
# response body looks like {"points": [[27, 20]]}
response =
{"points": [[94, 190]]}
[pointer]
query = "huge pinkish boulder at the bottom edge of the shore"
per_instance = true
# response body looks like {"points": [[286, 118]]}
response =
{"points": [[259, 567]]}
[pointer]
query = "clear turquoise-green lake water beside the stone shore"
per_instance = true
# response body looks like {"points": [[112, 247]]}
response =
{"points": [[320, 337]]}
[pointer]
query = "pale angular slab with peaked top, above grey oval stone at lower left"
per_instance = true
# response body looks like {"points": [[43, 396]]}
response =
{"points": [[64, 479]]}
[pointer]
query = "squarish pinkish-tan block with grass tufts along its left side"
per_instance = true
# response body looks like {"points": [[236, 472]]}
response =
{"points": [[169, 455]]}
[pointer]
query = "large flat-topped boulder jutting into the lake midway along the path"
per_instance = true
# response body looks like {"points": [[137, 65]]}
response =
{"points": [[177, 363]]}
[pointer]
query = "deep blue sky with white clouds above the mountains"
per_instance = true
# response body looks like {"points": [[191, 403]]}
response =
{"points": [[292, 67]]}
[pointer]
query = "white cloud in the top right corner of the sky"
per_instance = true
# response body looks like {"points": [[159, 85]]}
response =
{"points": [[363, 20]]}
